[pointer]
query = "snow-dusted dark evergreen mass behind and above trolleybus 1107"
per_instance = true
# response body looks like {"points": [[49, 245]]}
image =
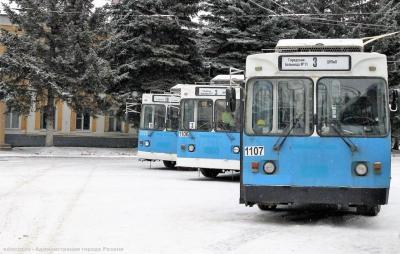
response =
{"points": [[234, 29]]}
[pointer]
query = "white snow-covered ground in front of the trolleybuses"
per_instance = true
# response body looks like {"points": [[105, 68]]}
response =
{"points": [[121, 203]]}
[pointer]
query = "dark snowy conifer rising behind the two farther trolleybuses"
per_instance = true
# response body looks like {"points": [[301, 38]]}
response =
{"points": [[152, 45]]}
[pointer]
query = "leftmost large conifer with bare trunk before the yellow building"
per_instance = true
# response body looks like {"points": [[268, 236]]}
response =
{"points": [[53, 57]]}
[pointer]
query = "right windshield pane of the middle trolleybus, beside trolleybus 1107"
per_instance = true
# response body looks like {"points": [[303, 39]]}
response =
{"points": [[226, 120]]}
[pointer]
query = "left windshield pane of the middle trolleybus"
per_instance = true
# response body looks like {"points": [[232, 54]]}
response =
{"points": [[197, 115]]}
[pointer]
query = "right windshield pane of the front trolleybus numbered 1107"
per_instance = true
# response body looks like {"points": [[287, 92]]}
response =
{"points": [[355, 106]]}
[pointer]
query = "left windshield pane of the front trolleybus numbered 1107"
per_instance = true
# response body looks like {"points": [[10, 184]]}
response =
{"points": [[275, 106]]}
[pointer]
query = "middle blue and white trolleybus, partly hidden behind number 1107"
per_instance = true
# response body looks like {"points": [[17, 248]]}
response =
{"points": [[209, 135]]}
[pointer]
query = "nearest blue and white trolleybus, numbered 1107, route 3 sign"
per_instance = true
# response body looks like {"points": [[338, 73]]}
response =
{"points": [[316, 127]]}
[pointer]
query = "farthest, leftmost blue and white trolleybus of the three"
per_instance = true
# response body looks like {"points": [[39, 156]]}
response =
{"points": [[159, 122]]}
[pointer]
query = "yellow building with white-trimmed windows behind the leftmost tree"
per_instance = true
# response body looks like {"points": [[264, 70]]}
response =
{"points": [[71, 129]]}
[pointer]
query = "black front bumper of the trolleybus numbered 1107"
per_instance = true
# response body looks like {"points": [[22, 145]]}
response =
{"points": [[251, 195]]}
